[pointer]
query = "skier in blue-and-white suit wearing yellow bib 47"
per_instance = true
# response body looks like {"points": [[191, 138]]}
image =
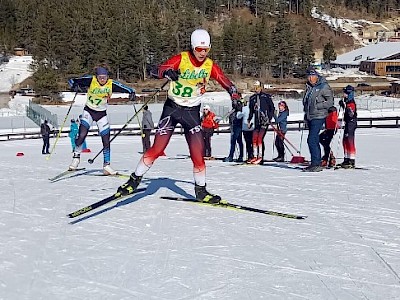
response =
{"points": [[99, 90]]}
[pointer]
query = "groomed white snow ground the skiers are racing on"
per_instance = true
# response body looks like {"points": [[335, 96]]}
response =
{"points": [[147, 248]]}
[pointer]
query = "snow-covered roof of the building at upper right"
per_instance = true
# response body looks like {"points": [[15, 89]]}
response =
{"points": [[371, 52]]}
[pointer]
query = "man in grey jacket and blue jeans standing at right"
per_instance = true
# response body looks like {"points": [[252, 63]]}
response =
{"points": [[317, 100]]}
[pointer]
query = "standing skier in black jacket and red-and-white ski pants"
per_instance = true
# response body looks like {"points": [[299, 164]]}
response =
{"points": [[262, 108]]}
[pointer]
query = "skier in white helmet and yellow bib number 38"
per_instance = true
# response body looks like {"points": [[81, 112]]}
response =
{"points": [[188, 72]]}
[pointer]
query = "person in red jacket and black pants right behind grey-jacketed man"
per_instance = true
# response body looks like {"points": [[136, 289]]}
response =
{"points": [[325, 138]]}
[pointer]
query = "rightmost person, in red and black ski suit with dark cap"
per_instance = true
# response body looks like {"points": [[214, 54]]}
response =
{"points": [[350, 118]]}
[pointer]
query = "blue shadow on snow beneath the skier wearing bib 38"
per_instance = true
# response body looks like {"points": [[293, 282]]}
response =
{"points": [[153, 185]]}
